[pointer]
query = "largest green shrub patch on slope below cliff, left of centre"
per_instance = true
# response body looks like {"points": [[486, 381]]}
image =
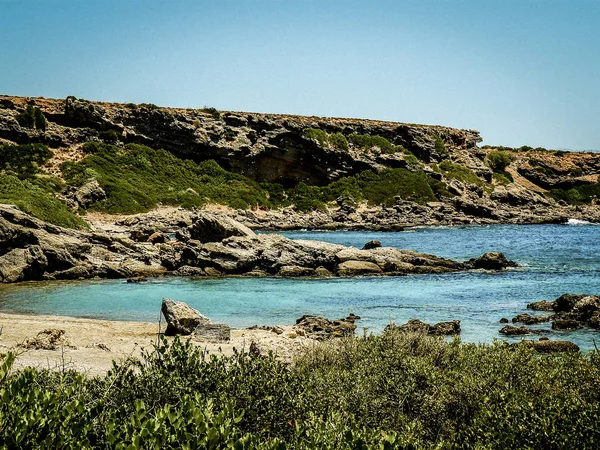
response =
{"points": [[137, 178]]}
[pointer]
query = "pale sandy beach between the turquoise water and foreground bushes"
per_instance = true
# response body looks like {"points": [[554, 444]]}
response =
{"points": [[90, 345]]}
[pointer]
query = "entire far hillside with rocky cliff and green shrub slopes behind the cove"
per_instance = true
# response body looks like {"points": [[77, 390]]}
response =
{"points": [[323, 172]]}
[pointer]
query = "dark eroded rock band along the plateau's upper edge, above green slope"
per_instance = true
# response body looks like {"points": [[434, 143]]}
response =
{"points": [[264, 147]]}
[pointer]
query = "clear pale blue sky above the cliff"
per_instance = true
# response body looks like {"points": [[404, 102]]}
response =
{"points": [[519, 71]]}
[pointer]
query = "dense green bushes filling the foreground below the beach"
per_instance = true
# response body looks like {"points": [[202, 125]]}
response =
{"points": [[396, 390]]}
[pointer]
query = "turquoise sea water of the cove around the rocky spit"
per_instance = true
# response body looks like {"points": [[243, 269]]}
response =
{"points": [[555, 258]]}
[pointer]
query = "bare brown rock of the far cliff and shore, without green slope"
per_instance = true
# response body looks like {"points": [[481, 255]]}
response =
{"points": [[277, 149]]}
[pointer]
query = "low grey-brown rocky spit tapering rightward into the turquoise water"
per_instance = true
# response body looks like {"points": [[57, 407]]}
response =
{"points": [[198, 244]]}
